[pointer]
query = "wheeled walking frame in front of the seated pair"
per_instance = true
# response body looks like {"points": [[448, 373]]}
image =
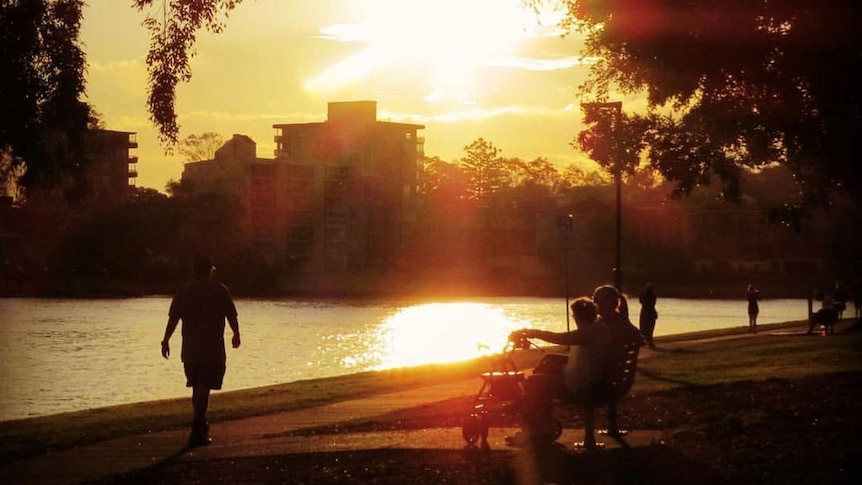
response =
{"points": [[503, 389]]}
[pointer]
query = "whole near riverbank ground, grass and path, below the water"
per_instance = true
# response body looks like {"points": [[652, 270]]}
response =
{"points": [[724, 405]]}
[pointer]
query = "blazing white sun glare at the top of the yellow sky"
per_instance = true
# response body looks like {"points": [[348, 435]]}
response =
{"points": [[450, 39]]}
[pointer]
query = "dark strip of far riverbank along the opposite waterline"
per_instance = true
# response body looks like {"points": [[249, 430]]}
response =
{"points": [[436, 286]]}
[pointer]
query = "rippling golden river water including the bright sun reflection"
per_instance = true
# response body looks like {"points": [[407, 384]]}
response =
{"points": [[67, 355]]}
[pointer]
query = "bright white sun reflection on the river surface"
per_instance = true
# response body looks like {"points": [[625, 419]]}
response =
{"points": [[440, 333]]}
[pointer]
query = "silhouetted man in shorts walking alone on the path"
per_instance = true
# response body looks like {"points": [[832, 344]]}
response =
{"points": [[203, 305]]}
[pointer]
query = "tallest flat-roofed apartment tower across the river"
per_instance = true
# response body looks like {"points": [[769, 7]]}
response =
{"points": [[352, 186]]}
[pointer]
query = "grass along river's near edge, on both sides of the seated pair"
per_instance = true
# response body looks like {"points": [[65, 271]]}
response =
{"points": [[681, 362]]}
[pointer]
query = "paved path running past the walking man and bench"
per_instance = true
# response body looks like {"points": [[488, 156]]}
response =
{"points": [[265, 435]]}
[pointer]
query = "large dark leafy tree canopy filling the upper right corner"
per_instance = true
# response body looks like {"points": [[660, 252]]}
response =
{"points": [[736, 85]]}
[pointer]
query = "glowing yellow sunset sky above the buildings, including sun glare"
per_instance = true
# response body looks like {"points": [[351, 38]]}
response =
{"points": [[463, 68]]}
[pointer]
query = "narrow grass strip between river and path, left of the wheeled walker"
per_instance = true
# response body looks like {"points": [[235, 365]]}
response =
{"points": [[26, 437]]}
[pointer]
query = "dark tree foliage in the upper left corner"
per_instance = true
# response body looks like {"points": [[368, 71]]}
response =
{"points": [[44, 120]]}
